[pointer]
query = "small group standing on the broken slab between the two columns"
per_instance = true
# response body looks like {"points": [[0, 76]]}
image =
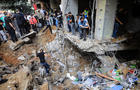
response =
{"points": [[81, 24]]}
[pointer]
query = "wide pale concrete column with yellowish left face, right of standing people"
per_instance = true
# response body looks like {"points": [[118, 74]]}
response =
{"points": [[105, 16]]}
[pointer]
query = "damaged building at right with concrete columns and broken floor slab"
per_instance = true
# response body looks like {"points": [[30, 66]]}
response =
{"points": [[103, 23]]}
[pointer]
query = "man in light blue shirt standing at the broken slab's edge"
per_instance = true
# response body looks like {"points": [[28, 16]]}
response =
{"points": [[83, 28]]}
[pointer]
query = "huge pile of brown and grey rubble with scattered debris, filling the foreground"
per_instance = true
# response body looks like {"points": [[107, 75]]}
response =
{"points": [[70, 68]]}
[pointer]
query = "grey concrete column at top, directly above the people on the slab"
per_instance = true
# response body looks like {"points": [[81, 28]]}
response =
{"points": [[69, 6]]}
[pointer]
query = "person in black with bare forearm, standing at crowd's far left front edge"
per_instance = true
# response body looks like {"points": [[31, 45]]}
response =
{"points": [[10, 28]]}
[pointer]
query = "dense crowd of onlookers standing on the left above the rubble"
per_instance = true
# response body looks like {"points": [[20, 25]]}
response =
{"points": [[15, 25]]}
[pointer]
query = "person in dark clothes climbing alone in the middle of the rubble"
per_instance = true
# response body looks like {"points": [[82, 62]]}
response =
{"points": [[41, 56]]}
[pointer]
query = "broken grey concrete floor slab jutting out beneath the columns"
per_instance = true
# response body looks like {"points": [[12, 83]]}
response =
{"points": [[99, 47]]}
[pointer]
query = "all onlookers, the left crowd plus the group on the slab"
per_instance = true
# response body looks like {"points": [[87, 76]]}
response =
{"points": [[15, 25]]}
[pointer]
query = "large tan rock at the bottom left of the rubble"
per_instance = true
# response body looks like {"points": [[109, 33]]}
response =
{"points": [[22, 79]]}
